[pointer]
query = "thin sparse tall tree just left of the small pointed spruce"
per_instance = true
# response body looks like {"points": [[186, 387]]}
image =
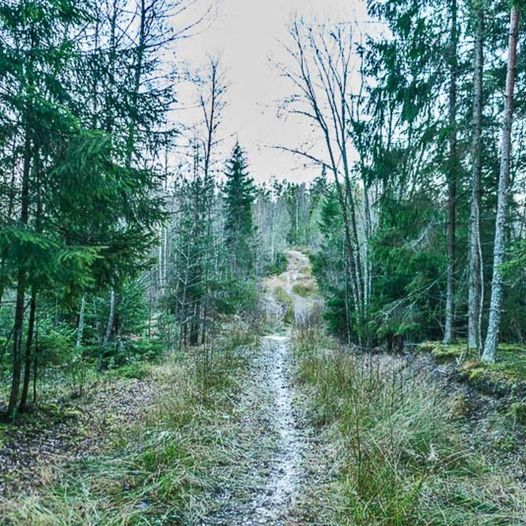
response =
{"points": [[193, 245]]}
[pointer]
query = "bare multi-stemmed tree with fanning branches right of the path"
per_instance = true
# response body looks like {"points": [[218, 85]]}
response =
{"points": [[323, 67]]}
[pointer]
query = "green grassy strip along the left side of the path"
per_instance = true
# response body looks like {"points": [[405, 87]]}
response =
{"points": [[157, 469]]}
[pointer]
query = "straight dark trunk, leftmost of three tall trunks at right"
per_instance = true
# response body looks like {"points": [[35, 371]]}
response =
{"points": [[452, 180]]}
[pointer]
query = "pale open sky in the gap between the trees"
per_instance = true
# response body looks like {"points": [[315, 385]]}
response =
{"points": [[246, 34]]}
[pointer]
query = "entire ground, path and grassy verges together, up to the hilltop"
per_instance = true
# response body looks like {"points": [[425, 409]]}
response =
{"points": [[287, 428]]}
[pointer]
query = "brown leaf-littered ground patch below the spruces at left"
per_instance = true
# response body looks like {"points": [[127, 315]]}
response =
{"points": [[69, 430]]}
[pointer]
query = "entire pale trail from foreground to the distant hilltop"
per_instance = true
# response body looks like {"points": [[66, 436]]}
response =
{"points": [[280, 439]]}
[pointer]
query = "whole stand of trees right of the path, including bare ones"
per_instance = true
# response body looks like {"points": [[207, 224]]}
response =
{"points": [[419, 123]]}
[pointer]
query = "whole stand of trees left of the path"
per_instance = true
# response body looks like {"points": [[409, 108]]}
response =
{"points": [[123, 233]]}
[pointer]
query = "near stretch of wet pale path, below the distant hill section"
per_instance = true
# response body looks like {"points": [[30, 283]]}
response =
{"points": [[274, 476]]}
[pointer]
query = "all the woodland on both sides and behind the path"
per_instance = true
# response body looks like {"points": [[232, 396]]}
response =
{"points": [[126, 235]]}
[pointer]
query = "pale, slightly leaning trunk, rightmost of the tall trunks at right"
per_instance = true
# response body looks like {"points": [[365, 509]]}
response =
{"points": [[490, 346]]}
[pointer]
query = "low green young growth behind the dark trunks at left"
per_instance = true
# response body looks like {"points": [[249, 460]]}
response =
{"points": [[65, 364]]}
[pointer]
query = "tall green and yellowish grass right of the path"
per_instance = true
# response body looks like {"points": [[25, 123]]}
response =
{"points": [[401, 456]]}
